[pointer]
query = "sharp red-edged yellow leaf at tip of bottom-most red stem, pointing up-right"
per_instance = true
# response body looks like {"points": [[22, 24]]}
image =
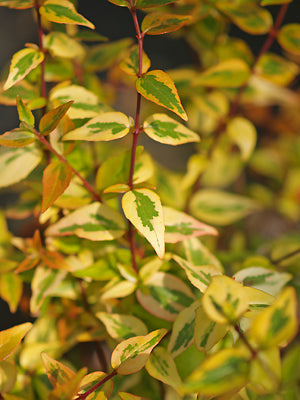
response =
{"points": [[132, 354]]}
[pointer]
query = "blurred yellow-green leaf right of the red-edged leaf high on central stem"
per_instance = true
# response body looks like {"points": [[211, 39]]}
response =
{"points": [[229, 73]]}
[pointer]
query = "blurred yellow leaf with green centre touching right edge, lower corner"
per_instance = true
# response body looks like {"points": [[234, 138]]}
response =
{"points": [[278, 324]]}
